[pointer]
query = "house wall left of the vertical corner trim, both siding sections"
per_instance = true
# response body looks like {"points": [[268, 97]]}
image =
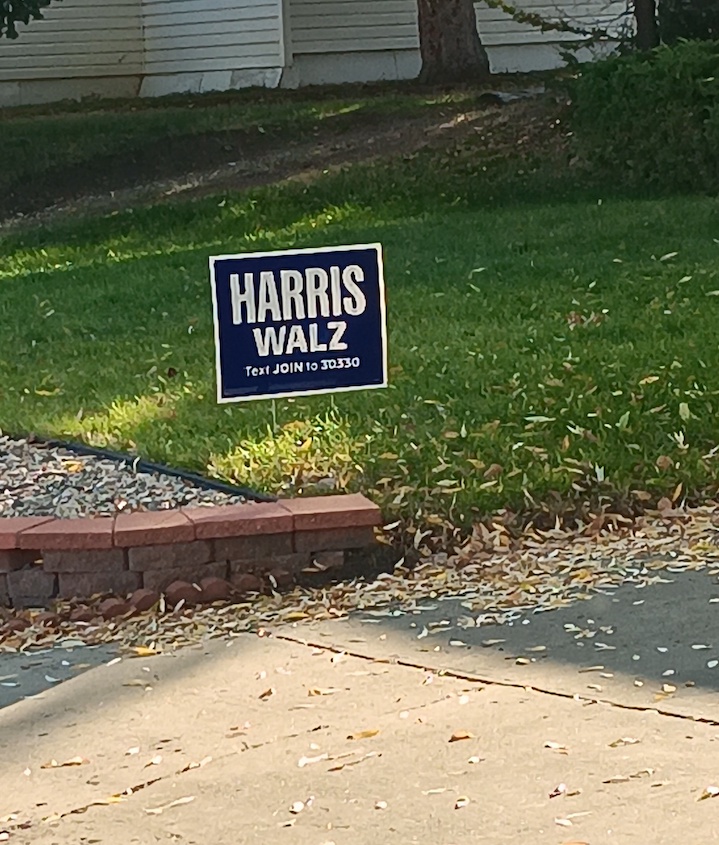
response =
{"points": [[122, 48]]}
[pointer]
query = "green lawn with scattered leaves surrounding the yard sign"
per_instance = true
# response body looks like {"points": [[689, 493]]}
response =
{"points": [[543, 336]]}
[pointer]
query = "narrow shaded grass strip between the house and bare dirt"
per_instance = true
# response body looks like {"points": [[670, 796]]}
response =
{"points": [[40, 143]]}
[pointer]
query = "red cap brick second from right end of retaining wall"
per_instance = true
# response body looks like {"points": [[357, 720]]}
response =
{"points": [[239, 520]]}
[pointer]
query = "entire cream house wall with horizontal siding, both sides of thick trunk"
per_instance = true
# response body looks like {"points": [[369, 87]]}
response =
{"points": [[154, 47]]}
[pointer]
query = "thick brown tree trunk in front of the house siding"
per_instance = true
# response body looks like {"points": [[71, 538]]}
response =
{"points": [[449, 42]]}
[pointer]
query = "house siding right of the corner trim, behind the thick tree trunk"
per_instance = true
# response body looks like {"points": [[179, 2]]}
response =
{"points": [[363, 40]]}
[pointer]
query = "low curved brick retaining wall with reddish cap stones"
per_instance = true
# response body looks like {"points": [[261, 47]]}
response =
{"points": [[197, 554]]}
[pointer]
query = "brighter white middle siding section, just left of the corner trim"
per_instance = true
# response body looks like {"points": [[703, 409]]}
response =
{"points": [[204, 45]]}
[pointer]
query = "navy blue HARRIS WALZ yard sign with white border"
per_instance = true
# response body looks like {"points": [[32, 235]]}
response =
{"points": [[298, 322]]}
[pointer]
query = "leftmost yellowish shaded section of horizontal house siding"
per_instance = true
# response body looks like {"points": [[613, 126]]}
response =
{"points": [[81, 47]]}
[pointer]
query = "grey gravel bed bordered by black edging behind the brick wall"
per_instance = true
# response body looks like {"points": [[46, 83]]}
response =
{"points": [[37, 480]]}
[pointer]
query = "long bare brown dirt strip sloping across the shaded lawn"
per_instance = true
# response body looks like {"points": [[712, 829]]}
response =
{"points": [[192, 166]]}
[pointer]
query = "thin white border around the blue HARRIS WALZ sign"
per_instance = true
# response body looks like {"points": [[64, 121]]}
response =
{"points": [[227, 400]]}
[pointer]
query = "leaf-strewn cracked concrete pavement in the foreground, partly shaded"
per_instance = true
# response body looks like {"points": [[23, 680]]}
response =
{"points": [[342, 733]]}
